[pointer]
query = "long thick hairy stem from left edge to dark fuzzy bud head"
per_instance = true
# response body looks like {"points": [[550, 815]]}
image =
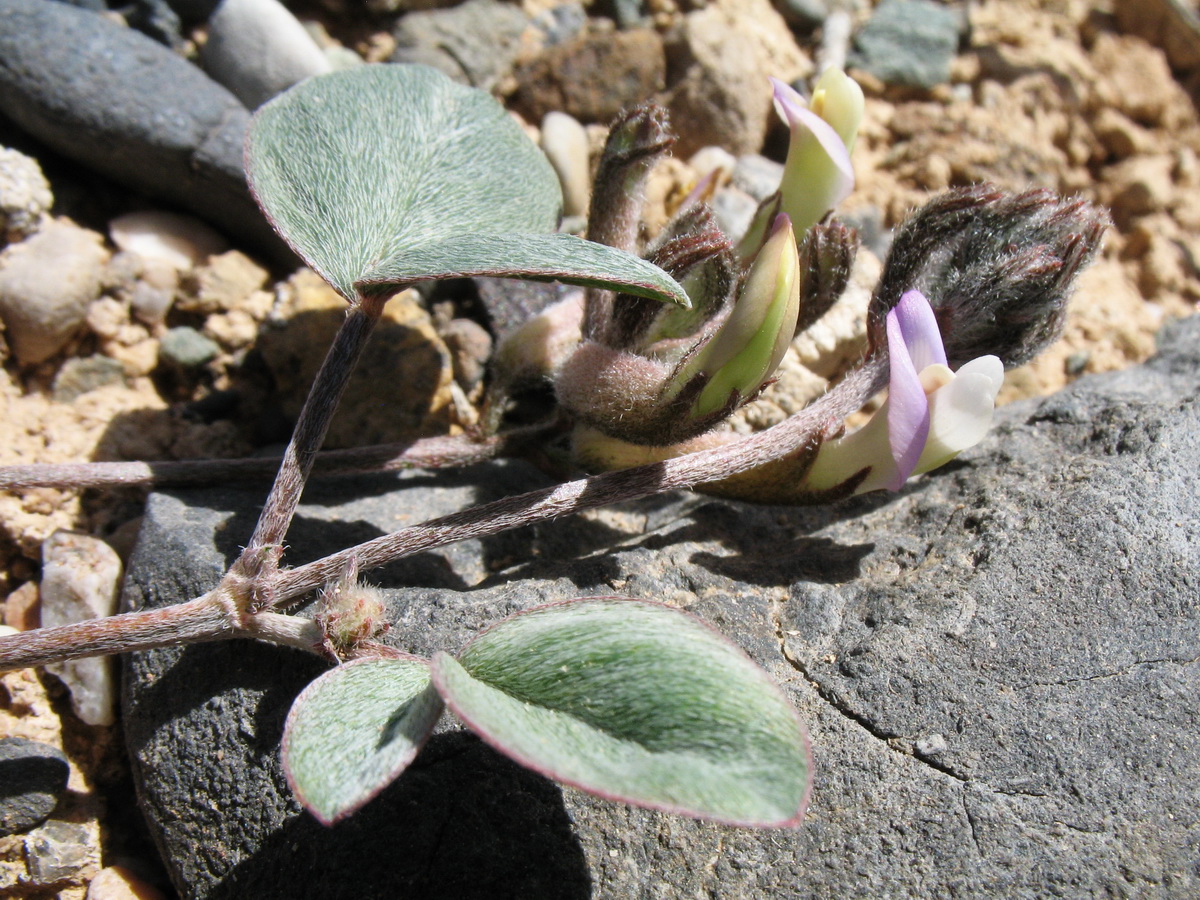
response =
{"points": [[224, 614]]}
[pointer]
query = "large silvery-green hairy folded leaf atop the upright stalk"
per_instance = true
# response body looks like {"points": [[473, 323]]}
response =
{"points": [[391, 175]]}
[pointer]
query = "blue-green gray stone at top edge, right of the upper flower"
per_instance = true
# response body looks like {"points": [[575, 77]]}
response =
{"points": [[909, 44]]}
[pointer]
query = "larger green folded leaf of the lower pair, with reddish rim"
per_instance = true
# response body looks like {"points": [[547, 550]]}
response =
{"points": [[635, 703]]}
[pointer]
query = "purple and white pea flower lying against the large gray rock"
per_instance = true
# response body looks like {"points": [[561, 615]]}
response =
{"points": [[932, 415]]}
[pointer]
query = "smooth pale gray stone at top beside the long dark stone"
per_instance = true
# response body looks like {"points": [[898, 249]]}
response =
{"points": [[257, 49]]}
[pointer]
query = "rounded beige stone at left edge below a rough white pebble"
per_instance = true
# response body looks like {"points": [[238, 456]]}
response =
{"points": [[46, 284]]}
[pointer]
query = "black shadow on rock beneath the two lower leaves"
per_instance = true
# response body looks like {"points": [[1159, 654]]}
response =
{"points": [[463, 823]]}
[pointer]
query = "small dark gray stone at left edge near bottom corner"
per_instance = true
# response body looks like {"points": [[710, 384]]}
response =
{"points": [[33, 778]]}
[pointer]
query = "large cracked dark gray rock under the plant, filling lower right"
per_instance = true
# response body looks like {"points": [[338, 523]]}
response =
{"points": [[1000, 668]]}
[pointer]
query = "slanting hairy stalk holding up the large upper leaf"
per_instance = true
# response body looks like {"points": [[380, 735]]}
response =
{"points": [[266, 547]]}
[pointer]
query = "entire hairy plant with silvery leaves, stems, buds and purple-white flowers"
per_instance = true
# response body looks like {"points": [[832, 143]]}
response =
{"points": [[385, 177]]}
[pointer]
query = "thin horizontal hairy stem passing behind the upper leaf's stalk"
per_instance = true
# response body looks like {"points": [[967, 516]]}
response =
{"points": [[425, 454]]}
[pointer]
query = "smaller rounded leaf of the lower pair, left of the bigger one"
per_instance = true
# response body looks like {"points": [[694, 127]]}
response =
{"points": [[355, 730]]}
